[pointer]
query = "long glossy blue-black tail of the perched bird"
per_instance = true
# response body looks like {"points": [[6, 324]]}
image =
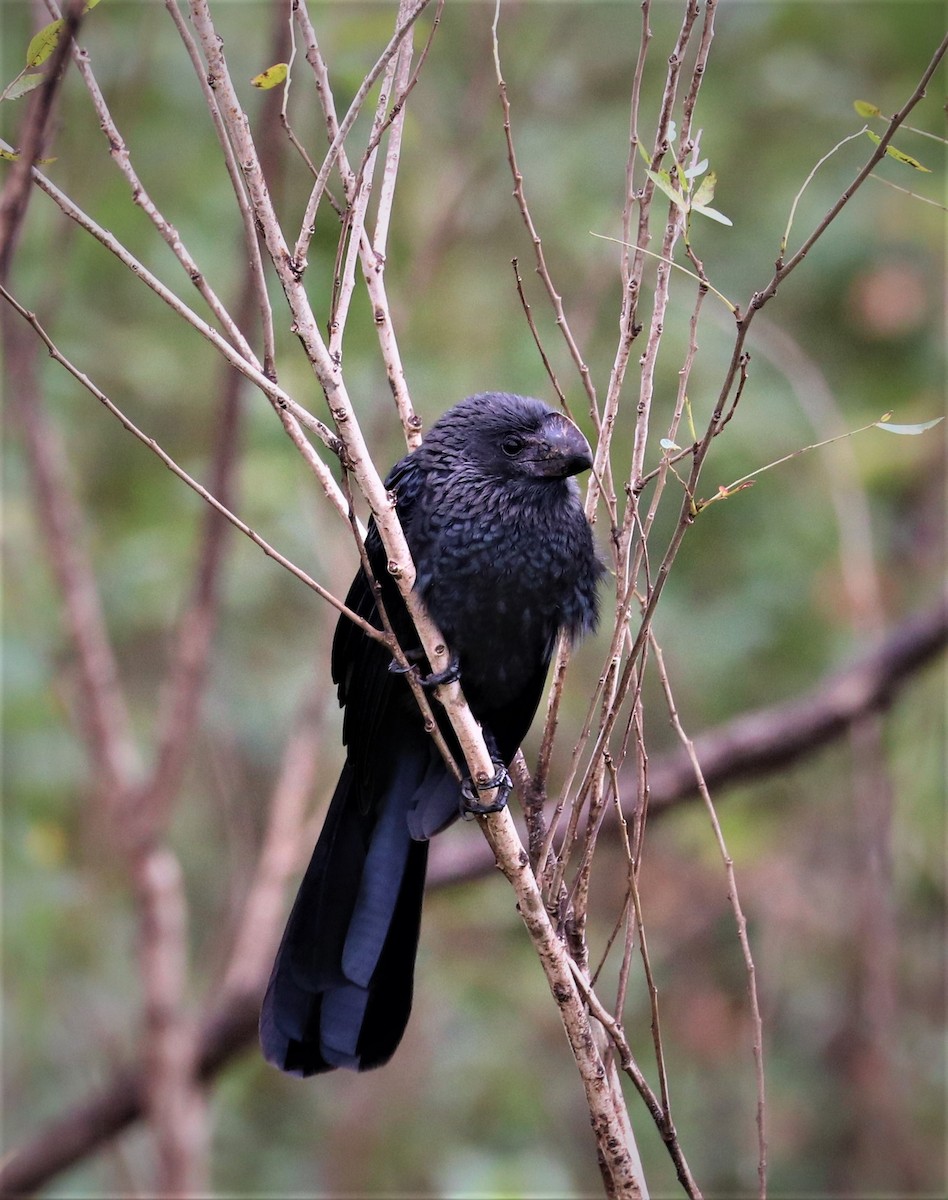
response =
{"points": [[341, 988]]}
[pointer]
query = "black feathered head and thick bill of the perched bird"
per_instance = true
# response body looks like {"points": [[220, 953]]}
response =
{"points": [[502, 436]]}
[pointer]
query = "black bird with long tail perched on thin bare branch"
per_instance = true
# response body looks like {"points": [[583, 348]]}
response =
{"points": [[506, 562]]}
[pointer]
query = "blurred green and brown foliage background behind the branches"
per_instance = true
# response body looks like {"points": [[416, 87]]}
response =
{"points": [[841, 860]]}
